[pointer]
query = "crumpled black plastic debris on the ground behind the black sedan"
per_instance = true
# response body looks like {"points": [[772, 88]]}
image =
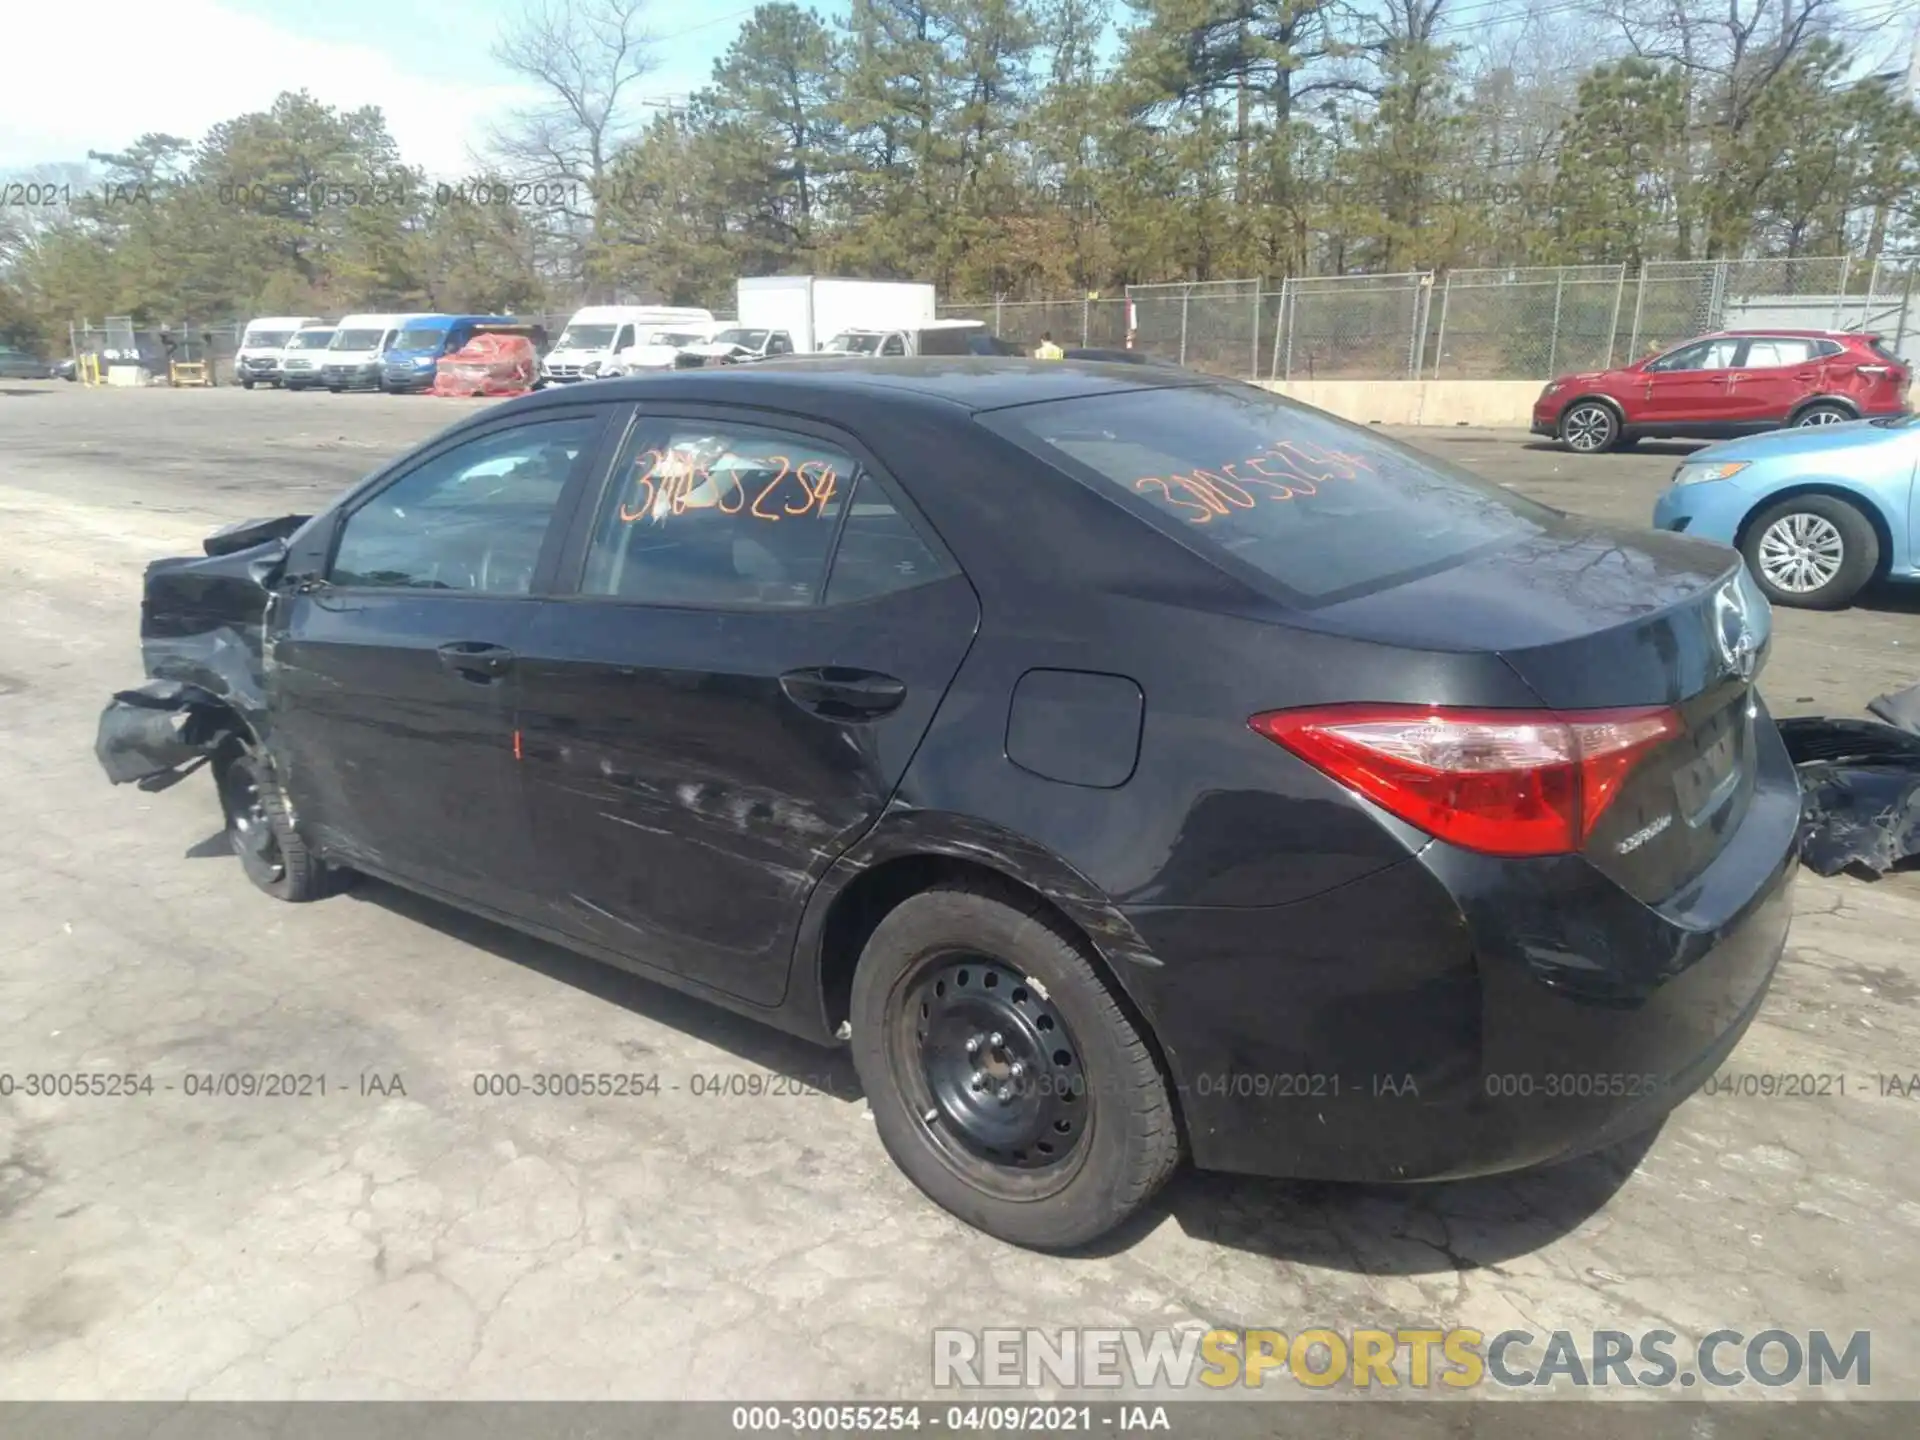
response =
{"points": [[1860, 786]]}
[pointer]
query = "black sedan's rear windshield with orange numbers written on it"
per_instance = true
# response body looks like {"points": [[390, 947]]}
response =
{"points": [[1322, 510]]}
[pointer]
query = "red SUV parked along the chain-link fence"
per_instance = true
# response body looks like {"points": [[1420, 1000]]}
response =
{"points": [[1727, 385]]}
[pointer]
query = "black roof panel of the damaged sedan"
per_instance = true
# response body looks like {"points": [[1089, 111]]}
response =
{"points": [[834, 385]]}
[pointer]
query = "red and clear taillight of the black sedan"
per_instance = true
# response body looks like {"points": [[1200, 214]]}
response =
{"points": [[1500, 782]]}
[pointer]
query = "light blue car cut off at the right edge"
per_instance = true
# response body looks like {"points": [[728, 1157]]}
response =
{"points": [[1817, 512]]}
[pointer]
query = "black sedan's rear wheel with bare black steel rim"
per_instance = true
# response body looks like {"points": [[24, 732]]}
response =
{"points": [[1090, 1134]]}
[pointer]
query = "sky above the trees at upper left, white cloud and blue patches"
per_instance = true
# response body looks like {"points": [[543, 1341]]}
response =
{"points": [[110, 70]]}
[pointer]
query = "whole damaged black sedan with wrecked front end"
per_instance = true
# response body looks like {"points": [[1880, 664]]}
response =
{"points": [[1126, 765]]}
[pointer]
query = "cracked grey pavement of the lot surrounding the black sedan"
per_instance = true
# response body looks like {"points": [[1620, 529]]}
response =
{"points": [[406, 1237]]}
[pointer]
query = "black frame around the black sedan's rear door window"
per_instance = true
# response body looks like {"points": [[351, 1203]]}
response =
{"points": [[573, 560]]}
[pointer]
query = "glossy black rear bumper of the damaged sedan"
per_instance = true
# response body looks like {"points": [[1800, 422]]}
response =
{"points": [[1460, 1015]]}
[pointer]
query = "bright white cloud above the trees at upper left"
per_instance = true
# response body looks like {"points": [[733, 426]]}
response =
{"points": [[107, 74]]}
